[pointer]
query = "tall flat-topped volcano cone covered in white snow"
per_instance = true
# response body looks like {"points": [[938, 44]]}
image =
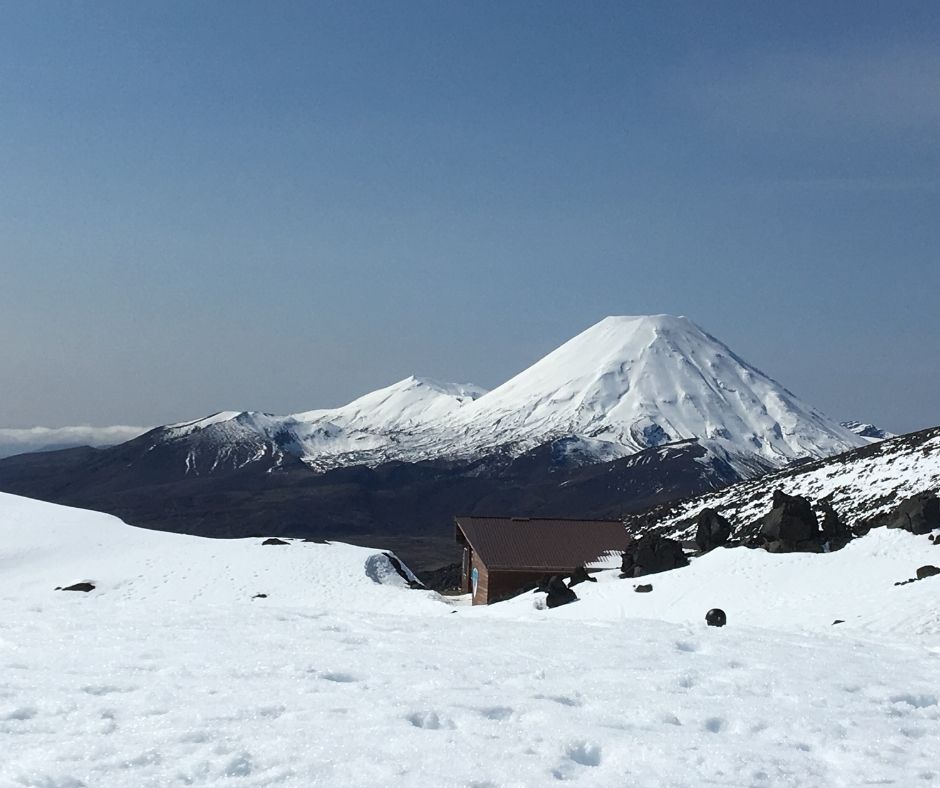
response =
{"points": [[637, 382]]}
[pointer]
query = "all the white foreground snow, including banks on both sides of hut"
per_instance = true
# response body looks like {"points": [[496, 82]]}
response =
{"points": [[171, 674]]}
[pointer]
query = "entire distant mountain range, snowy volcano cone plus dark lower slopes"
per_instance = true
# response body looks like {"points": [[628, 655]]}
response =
{"points": [[634, 411]]}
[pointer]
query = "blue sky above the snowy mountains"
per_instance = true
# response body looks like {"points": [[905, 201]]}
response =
{"points": [[280, 206]]}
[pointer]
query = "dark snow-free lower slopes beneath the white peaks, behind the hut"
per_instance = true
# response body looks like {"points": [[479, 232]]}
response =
{"points": [[404, 507]]}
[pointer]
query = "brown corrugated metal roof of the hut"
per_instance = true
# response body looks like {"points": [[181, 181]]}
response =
{"points": [[541, 544]]}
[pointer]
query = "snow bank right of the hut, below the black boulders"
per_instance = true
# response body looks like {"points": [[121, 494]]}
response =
{"points": [[793, 591]]}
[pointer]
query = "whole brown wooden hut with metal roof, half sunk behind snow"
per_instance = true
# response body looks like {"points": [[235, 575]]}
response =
{"points": [[503, 556]]}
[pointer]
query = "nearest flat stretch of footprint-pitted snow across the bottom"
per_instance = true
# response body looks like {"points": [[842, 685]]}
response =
{"points": [[109, 695]]}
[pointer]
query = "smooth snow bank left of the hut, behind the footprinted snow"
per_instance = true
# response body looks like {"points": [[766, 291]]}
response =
{"points": [[44, 545]]}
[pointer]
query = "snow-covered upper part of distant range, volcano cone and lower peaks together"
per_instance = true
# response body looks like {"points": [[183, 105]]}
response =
{"points": [[625, 384]]}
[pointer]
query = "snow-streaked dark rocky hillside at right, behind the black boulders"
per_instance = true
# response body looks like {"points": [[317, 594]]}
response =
{"points": [[861, 485]]}
